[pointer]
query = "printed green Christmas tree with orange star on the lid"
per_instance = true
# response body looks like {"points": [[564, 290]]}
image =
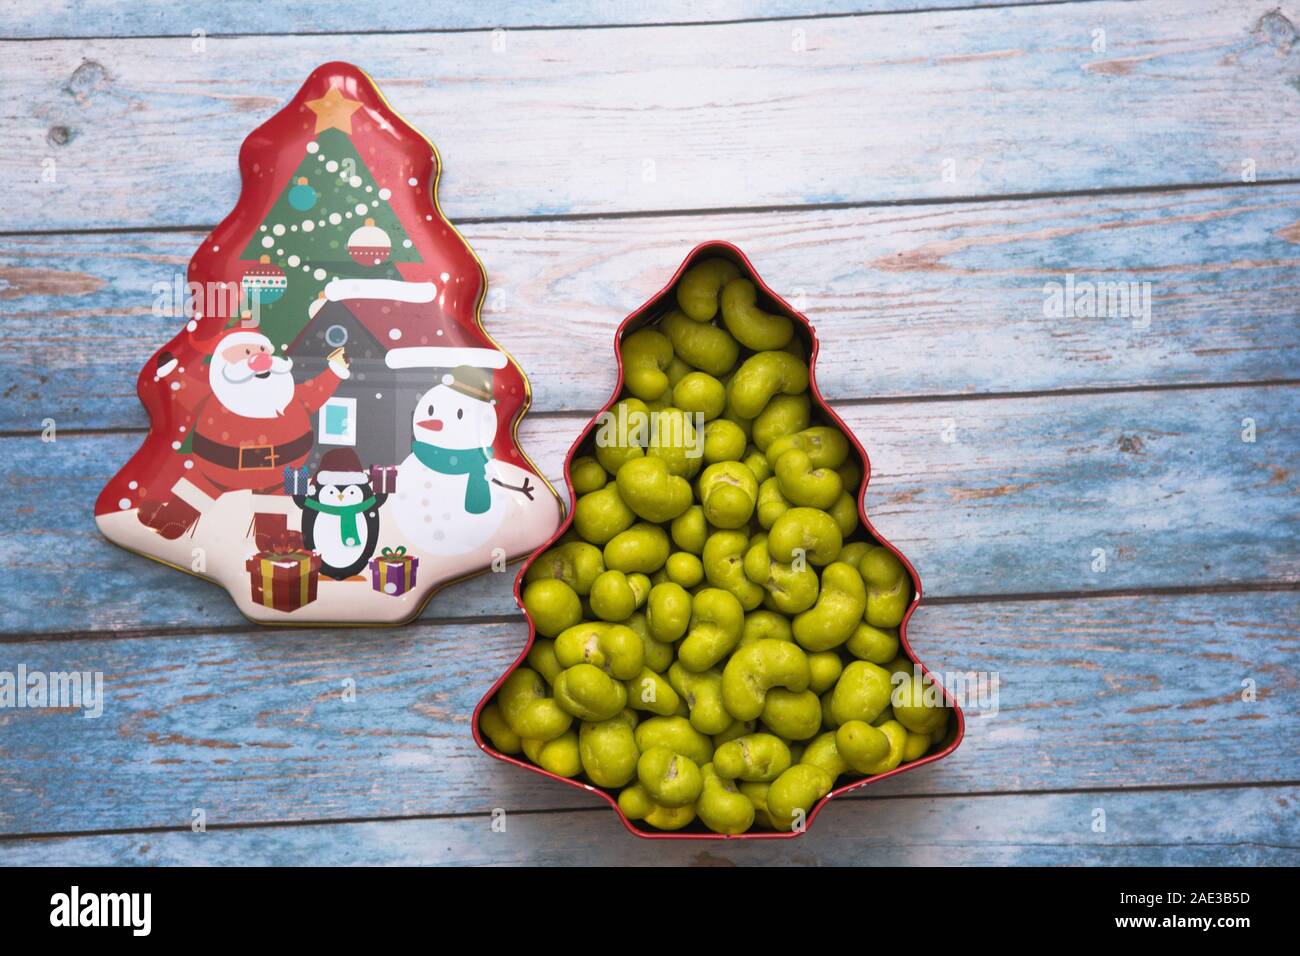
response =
{"points": [[332, 222]]}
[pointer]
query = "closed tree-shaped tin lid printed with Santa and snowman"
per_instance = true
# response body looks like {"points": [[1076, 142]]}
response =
{"points": [[333, 435]]}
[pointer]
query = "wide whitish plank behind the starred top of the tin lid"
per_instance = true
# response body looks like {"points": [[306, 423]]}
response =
{"points": [[916, 106]]}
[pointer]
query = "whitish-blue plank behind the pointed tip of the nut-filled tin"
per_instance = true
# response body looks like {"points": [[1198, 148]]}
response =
{"points": [[917, 301]]}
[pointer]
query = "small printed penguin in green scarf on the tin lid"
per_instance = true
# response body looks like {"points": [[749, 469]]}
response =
{"points": [[341, 514]]}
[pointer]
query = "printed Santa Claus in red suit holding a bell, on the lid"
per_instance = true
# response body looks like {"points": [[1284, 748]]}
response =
{"points": [[250, 422]]}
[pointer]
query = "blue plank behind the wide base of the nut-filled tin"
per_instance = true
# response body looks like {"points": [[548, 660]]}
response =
{"points": [[1103, 694]]}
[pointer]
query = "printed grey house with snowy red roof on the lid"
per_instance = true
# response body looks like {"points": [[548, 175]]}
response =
{"points": [[400, 344]]}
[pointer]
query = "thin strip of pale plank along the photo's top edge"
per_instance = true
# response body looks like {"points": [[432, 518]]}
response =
{"points": [[166, 19]]}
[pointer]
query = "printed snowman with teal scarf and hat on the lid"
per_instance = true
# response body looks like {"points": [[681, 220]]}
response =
{"points": [[452, 495]]}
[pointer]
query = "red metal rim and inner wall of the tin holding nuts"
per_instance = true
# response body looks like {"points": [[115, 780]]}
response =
{"points": [[655, 309]]}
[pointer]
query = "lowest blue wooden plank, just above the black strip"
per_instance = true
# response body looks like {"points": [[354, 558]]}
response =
{"points": [[1202, 828]]}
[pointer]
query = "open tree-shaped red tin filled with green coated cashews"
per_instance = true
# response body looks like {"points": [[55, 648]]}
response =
{"points": [[723, 669]]}
